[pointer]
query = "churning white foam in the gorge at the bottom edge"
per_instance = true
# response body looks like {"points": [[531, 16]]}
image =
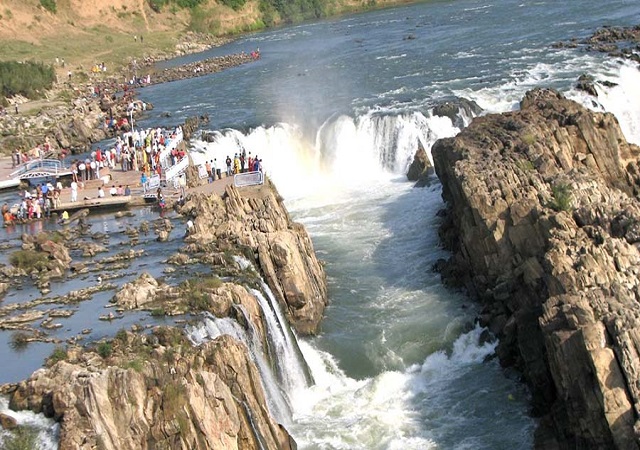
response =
{"points": [[382, 412]]}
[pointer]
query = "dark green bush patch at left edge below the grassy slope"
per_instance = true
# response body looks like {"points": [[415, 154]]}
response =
{"points": [[29, 79]]}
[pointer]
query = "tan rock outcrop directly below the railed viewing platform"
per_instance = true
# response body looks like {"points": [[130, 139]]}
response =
{"points": [[256, 220]]}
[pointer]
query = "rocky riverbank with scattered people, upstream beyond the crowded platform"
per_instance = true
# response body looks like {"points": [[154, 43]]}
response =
{"points": [[76, 123]]}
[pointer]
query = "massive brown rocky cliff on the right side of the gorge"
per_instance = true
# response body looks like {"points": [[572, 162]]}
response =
{"points": [[543, 223]]}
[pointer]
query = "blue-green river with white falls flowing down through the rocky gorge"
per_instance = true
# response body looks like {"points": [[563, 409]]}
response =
{"points": [[336, 109]]}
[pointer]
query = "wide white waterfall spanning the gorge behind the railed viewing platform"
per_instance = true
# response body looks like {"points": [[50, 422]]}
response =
{"points": [[344, 152]]}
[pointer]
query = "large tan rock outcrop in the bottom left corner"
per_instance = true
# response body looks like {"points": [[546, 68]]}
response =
{"points": [[153, 392]]}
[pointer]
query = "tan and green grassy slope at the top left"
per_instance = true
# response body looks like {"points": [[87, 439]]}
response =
{"points": [[86, 32]]}
